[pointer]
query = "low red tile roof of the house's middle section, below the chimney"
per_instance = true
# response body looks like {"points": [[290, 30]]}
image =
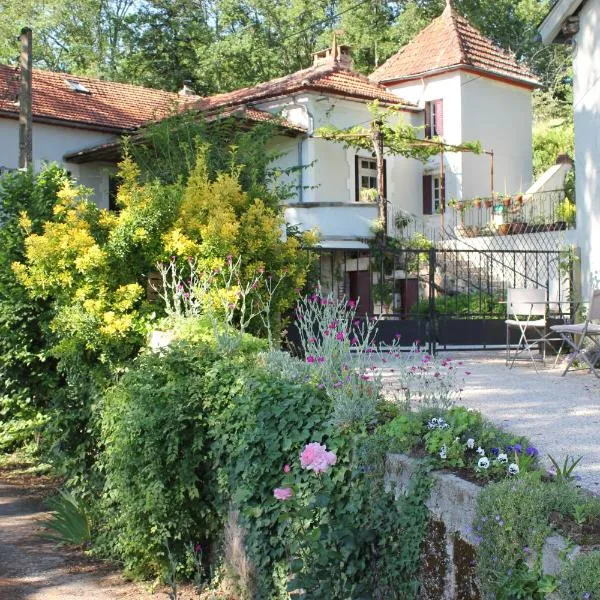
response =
{"points": [[329, 78]]}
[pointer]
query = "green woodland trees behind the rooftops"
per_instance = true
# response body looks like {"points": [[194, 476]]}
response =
{"points": [[226, 44]]}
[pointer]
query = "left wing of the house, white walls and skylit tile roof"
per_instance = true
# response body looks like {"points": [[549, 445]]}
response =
{"points": [[71, 113]]}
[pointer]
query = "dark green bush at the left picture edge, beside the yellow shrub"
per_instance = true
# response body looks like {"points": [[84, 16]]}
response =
{"points": [[28, 375]]}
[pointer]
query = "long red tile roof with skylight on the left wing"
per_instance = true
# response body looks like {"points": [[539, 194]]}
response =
{"points": [[111, 106]]}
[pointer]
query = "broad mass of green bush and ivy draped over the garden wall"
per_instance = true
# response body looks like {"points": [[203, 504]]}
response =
{"points": [[194, 435]]}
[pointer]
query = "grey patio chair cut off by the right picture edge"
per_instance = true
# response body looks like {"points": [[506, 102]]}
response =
{"points": [[576, 335]]}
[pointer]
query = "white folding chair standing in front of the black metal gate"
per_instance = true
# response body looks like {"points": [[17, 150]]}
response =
{"points": [[526, 312]]}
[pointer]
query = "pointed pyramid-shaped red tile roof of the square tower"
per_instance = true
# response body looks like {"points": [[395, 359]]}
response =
{"points": [[451, 41]]}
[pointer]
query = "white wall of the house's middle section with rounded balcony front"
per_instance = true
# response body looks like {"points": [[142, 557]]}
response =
{"points": [[329, 175]]}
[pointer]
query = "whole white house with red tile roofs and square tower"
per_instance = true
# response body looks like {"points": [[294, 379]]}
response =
{"points": [[450, 81]]}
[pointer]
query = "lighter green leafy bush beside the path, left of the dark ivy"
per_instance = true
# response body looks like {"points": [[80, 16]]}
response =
{"points": [[158, 483]]}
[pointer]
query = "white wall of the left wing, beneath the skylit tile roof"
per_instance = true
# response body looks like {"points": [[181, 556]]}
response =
{"points": [[50, 144]]}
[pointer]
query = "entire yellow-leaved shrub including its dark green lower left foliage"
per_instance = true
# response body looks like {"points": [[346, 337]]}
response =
{"points": [[92, 266]]}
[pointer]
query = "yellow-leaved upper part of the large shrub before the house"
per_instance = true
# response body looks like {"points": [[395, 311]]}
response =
{"points": [[95, 263]]}
